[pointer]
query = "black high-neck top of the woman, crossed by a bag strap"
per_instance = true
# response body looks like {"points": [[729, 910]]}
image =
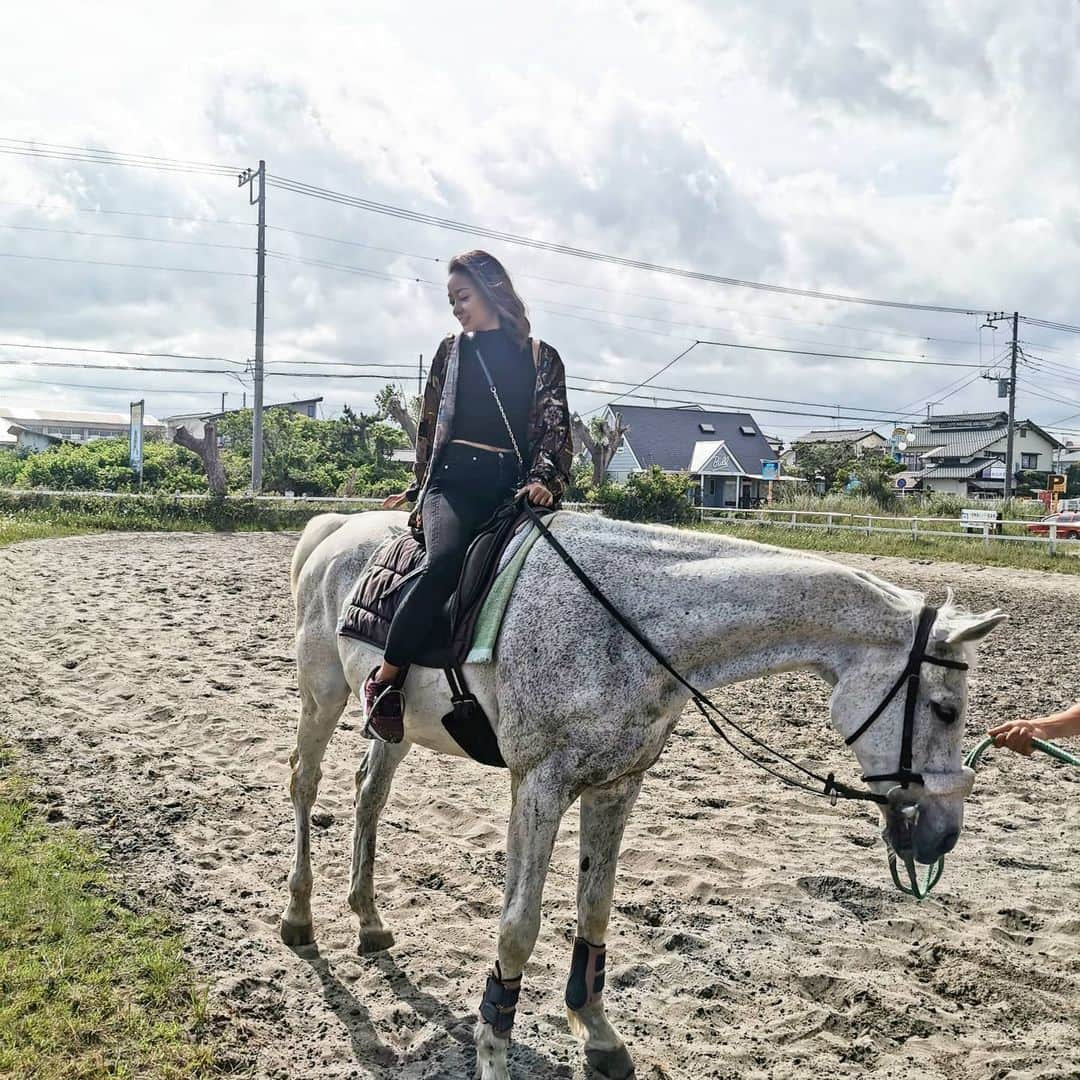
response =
{"points": [[477, 416]]}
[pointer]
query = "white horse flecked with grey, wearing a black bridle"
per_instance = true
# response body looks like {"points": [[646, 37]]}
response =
{"points": [[582, 711]]}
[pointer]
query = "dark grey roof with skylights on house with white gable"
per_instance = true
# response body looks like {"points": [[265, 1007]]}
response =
{"points": [[666, 437]]}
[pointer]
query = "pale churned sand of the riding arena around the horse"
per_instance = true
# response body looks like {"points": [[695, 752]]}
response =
{"points": [[150, 682]]}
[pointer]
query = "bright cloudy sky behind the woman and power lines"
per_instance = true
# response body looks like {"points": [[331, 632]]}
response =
{"points": [[921, 153]]}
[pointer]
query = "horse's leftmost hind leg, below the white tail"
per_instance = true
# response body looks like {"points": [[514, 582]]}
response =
{"points": [[321, 707]]}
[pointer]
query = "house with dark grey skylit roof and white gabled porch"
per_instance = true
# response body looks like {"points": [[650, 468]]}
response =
{"points": [[724, 453]]}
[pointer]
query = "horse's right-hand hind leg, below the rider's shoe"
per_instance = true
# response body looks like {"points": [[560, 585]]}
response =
{"points": [[374, 778]]}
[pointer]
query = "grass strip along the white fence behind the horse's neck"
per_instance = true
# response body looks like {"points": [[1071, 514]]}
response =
{"points": [[1018, 556]]}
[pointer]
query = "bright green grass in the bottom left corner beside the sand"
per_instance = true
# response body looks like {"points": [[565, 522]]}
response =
{"points": [[89, 990]]}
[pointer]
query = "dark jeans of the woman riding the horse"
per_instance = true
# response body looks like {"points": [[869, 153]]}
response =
{"points": [[467, 488]]}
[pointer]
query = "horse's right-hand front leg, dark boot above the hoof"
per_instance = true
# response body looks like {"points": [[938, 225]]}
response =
{"points": [[604, 815]]}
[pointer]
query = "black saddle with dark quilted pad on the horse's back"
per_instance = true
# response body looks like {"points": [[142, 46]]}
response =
{"points": [[389, 576]]}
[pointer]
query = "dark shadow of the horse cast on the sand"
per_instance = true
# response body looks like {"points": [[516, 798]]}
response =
{"points": [[372, 1051]]}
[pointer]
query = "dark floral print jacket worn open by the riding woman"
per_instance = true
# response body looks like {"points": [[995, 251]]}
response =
{"points": [[551, 447]]}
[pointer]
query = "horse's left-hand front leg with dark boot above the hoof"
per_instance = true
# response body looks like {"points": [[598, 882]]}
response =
{"points": [[539, 802]]}
